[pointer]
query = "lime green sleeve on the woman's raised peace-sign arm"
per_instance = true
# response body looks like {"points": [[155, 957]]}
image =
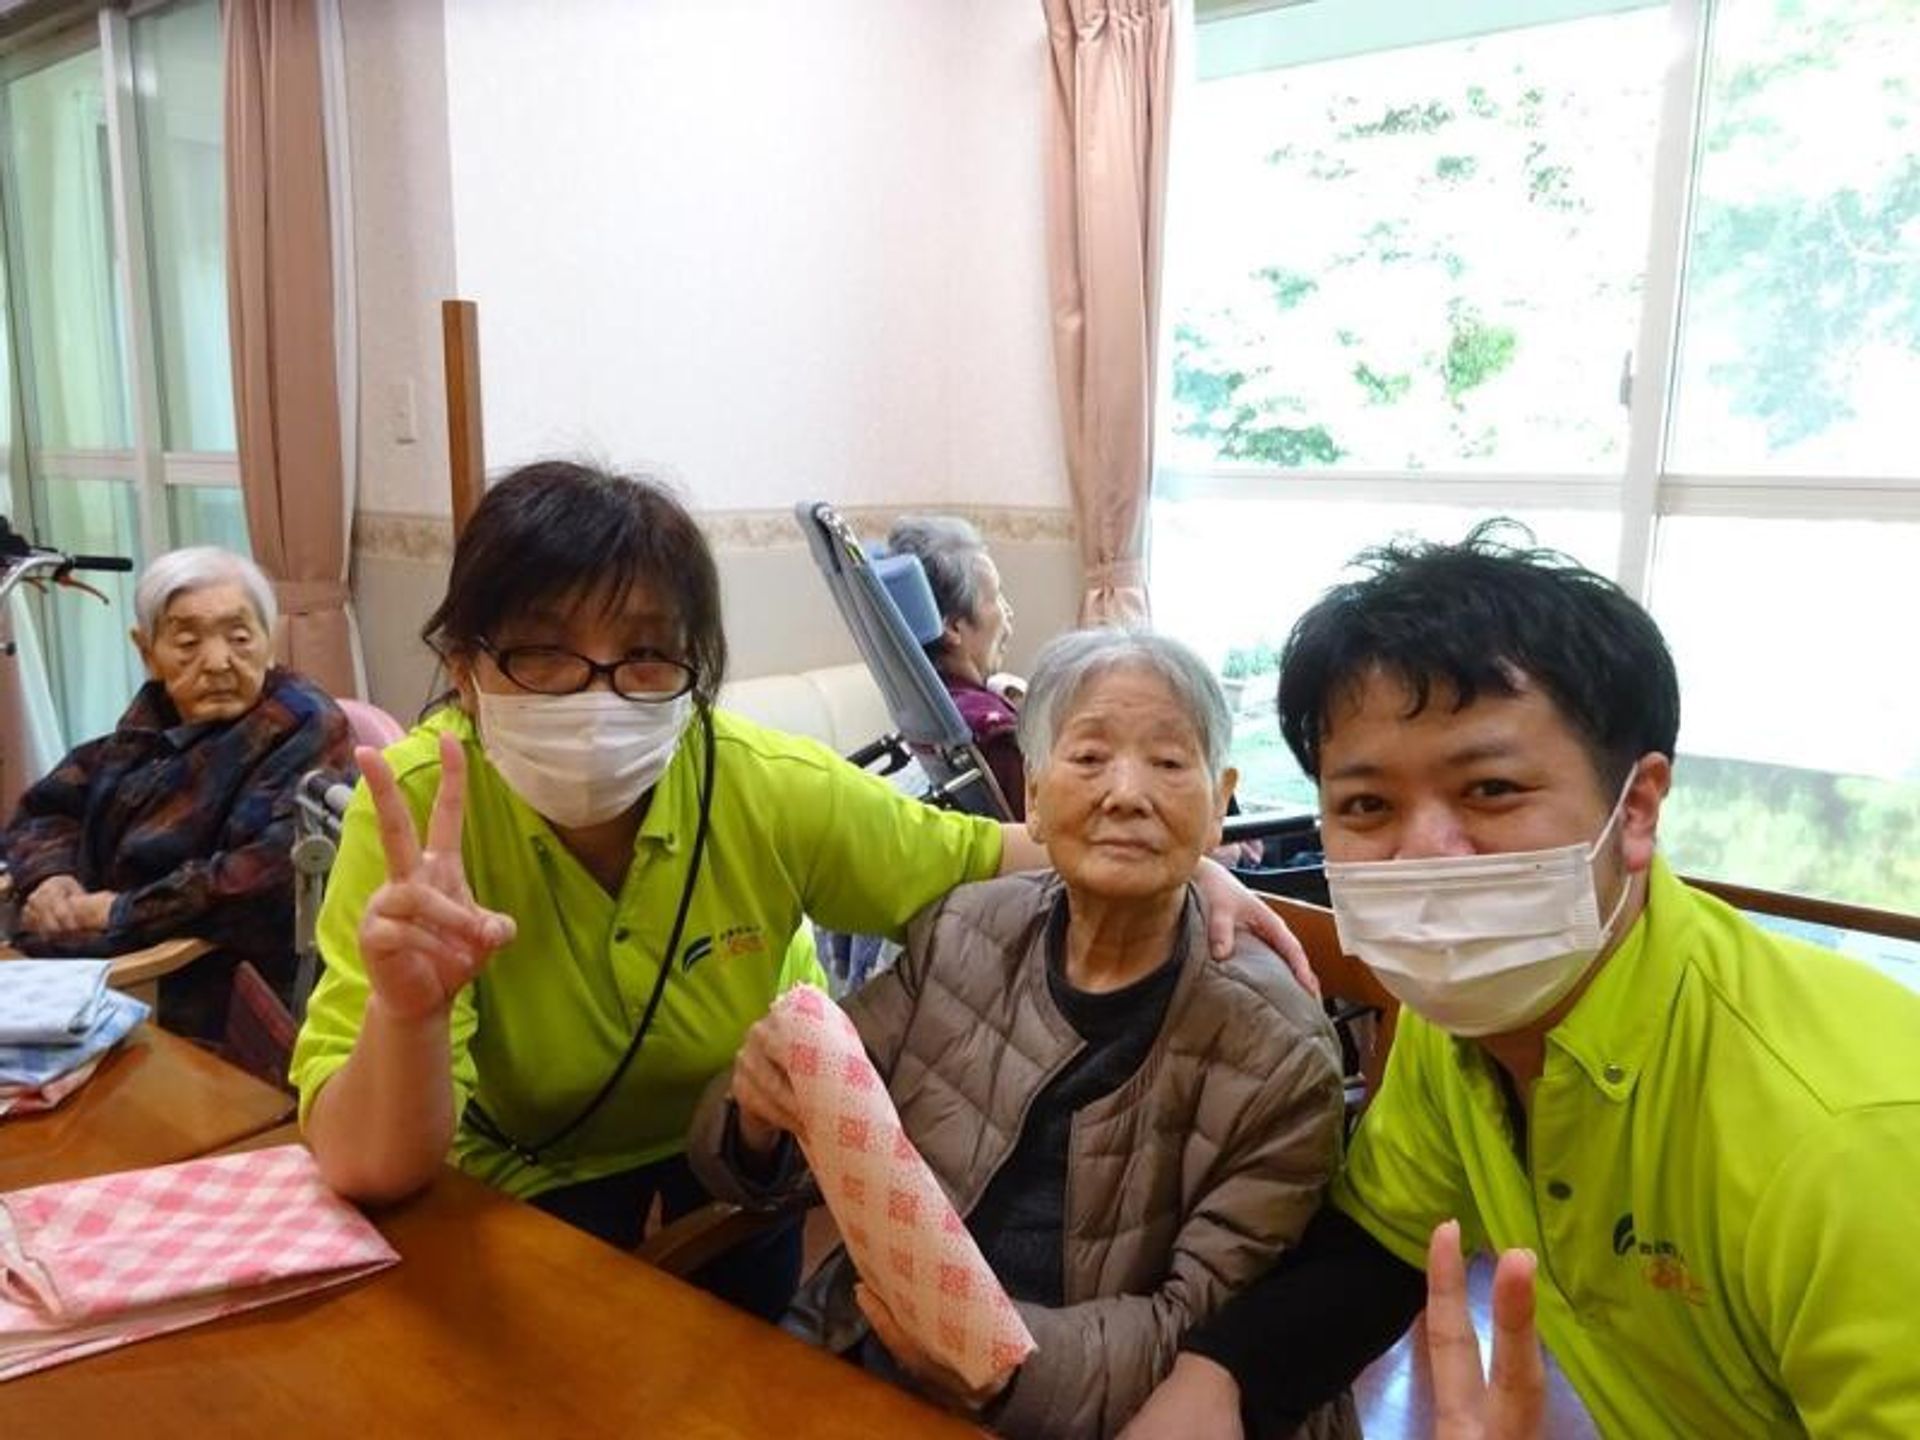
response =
{"points": [[339, 999]]}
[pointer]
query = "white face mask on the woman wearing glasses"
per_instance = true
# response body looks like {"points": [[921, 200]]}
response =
{"points": [[581, 759]]}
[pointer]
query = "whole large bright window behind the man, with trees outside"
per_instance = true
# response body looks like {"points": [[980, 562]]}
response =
{"points": [[1644, 277]]}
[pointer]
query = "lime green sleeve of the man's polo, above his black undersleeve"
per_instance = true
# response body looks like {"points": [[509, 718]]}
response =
{"points": [[1403, 1172]]}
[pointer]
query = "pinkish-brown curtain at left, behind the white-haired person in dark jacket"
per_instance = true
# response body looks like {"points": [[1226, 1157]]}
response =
{"points": [[281, 302]]}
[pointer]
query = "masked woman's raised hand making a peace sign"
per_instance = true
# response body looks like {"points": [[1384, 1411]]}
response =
{"points": [[423, 938]]}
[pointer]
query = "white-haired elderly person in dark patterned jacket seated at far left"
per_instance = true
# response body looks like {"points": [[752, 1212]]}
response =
{"points": [[181, 819]]}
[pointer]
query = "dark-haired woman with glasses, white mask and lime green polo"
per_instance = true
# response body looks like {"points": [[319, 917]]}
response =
{"points": [[564, 900]]}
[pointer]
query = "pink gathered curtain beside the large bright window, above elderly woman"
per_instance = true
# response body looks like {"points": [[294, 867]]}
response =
{"points": [[1107, 199]]}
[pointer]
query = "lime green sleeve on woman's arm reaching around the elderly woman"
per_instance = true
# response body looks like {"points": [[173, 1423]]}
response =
{"points": [[876, 857]]}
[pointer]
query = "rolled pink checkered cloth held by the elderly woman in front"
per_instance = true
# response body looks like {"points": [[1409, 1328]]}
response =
{"points": [[901, 1230]]}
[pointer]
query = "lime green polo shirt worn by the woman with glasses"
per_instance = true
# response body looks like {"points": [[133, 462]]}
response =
{"points": [[794, 830]]}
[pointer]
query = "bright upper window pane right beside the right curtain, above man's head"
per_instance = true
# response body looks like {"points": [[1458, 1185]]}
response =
{"points": [[1433, 258]]}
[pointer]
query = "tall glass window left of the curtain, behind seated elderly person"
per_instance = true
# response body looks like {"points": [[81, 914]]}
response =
{"points": [[112, 187]]}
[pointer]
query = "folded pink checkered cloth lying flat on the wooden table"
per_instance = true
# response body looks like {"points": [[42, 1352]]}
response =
{"points": [[110, 1260]]}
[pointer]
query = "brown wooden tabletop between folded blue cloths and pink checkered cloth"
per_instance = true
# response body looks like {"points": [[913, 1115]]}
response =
{"points": [[155, 1099]]}
